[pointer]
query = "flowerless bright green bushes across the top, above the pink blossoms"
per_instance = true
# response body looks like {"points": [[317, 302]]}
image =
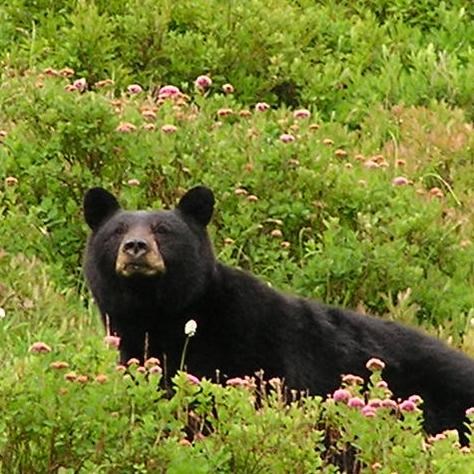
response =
{"points": [[341, 58]]}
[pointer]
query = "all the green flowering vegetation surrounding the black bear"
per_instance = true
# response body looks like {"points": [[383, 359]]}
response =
{"points": [[342, 161]]}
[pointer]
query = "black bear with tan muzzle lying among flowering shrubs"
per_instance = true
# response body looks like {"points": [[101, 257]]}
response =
{"points": [[152, 271]]}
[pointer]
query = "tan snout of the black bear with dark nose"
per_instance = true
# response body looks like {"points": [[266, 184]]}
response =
{"points": [[138, 255]]}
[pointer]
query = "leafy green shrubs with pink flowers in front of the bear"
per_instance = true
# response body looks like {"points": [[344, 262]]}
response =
{"points": [[77, 414]]}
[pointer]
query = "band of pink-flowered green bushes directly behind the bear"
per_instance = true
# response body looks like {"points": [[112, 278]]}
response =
{"points": [[351, 236]]}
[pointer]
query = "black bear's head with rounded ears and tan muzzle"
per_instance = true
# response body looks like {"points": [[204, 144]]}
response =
{"points": [[168, 249]]}
